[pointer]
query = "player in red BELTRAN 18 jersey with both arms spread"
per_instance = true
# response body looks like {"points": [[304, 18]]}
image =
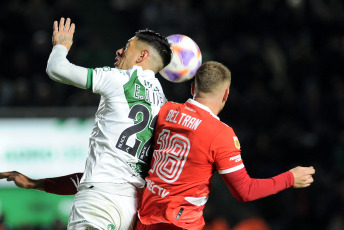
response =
{"points": [[191, 144]]}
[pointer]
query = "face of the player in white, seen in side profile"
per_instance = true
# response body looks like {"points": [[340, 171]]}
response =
{"points": [[126, 57]]}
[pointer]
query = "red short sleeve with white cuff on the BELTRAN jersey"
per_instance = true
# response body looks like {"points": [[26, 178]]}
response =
{"points": [[226, 148]]}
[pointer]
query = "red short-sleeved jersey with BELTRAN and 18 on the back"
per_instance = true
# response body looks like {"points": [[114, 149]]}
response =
{"points": [[191, 143]]}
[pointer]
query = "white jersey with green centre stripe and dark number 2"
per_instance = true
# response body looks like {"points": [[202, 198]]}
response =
{"points": [[122, 134]]}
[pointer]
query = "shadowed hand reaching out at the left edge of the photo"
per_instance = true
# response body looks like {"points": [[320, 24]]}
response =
{"points": [[23, 181]]}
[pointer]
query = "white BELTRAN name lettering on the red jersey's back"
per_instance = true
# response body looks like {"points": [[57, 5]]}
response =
{"points": [[183, 119]]}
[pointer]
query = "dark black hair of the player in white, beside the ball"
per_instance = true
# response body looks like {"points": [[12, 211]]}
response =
{"points": [[158, 42]]}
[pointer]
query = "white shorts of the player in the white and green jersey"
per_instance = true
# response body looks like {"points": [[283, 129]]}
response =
{"points": [[94, 208]]}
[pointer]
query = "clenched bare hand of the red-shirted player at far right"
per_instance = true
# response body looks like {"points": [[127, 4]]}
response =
{"points": [[303, 176]]}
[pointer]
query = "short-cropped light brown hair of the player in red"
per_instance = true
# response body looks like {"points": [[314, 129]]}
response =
{"points": [[210, 75]]}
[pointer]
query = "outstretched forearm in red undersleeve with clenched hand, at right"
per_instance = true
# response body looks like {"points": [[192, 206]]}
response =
{"points": [[244, 188]]}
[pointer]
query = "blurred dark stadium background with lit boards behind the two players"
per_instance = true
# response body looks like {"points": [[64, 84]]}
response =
{"points": [[286, 102]]}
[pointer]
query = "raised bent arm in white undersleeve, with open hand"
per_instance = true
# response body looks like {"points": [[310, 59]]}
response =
{"points": [[59, 68]]}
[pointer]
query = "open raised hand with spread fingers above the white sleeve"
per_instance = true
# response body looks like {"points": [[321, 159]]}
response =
{"points": [[63, 33]]}
